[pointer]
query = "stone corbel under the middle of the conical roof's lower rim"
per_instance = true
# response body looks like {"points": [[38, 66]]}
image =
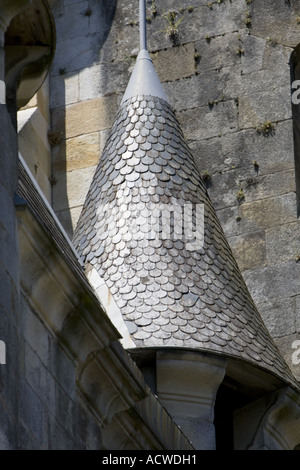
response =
{"points": [[187, 384]]}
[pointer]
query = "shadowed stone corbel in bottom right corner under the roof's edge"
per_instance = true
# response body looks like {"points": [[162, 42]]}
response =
{"points": [[270, 423]]}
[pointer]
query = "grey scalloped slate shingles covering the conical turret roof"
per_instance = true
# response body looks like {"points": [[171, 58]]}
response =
{"points": [[168, 295]]}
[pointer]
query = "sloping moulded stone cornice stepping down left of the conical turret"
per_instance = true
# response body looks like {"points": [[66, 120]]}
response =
{"points": [[106, 377]]}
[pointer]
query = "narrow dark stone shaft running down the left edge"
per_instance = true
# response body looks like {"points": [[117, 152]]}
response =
{"points": [[9, 280]]}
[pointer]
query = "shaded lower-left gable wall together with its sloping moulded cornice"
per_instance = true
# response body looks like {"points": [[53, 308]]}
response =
{"points": [[77, 387]]}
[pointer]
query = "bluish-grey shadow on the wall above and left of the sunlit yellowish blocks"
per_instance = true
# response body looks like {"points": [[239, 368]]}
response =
{"points": [[74, 53]]}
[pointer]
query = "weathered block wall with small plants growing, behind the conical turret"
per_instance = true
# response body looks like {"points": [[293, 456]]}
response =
{"points": [[225, 68]]}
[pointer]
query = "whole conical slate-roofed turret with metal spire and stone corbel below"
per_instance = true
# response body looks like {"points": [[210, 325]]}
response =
{"points": [[149, 231]]}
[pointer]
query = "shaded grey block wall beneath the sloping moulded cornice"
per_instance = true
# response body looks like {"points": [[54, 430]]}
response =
{"points": [[52, 414]]}
